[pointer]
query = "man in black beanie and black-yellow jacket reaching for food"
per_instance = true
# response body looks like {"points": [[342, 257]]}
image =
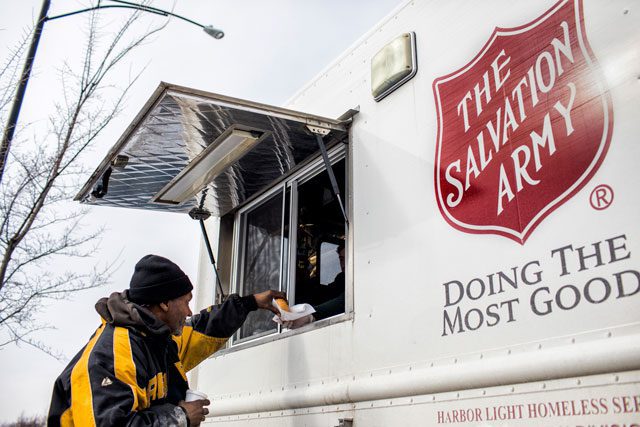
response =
{"points": [[132, 372]]}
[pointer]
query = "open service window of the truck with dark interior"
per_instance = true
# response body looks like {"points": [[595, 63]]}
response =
{"points": [[293, 239]]}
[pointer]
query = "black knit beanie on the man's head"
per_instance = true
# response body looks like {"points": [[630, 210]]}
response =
{"points": [[156, 279]]}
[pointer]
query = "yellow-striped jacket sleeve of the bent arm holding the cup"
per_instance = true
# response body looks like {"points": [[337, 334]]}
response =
{"points": [[105, 390]]}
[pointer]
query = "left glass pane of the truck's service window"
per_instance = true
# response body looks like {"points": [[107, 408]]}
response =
{"points": [[261, 261]]}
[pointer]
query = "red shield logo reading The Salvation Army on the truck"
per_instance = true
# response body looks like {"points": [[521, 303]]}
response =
{"points": [[522, 127]]}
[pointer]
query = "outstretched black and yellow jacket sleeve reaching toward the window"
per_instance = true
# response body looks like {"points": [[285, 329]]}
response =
{"points": [[207, 331]]}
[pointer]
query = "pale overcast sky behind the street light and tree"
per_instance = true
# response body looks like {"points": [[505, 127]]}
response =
{"points": [[270, 50]]}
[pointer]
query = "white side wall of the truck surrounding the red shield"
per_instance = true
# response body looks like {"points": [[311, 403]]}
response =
{"points": [[395, 362]]}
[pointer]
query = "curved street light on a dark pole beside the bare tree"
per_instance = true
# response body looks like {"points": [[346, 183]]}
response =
{"points": [[9, 130]]}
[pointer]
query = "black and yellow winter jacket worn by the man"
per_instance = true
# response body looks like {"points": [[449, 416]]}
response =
{"points": [[132, 370]]}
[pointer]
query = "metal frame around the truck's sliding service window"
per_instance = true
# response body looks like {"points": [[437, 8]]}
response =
{"points": [[290, 184]]}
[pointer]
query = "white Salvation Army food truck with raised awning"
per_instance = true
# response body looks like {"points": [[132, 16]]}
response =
{"points": [[488, 201]]}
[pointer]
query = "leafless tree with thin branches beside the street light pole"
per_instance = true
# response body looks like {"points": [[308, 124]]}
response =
{"points": [[37, 228]]}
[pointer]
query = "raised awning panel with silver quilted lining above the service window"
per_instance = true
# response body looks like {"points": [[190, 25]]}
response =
{"points": [[181, 132]]}
